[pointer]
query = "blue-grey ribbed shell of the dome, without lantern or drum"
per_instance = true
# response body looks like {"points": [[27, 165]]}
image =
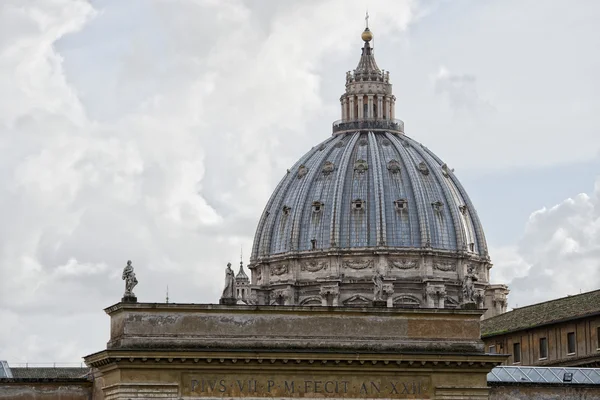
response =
{"points": [[369, 189]]}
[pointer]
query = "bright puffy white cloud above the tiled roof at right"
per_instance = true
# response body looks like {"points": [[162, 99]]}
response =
{"points": [[558, 254]]}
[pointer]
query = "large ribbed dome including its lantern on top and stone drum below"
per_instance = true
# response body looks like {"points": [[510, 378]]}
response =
{"points": [[371, 217]]}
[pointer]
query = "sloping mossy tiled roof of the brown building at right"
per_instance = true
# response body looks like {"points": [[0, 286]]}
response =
{"points": [[566, 308]]}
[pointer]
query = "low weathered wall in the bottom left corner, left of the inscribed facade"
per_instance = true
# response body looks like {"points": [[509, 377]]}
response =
{"points": [[22, 390]]}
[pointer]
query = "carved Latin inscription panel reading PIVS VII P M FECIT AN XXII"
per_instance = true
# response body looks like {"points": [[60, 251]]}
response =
{"points": [[413, 387]]}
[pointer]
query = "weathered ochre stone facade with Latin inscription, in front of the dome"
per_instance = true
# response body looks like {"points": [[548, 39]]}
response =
{"points": [[208, 351]]}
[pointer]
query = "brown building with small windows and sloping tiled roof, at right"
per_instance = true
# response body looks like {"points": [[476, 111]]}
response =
{"points": [[561, 332]]}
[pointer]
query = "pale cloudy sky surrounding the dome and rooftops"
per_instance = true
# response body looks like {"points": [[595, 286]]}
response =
{"points": [[156, 130]]}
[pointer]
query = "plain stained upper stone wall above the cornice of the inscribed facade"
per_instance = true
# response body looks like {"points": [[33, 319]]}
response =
{"points": [[179, 326]]}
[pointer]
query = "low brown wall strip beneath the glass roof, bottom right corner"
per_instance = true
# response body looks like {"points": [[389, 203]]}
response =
{"points": [[535, 392]]}
